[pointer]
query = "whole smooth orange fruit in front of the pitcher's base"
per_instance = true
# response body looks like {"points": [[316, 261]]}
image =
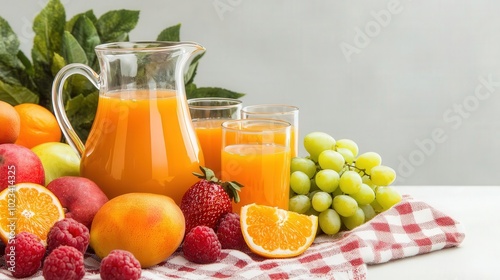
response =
{"points": [[150, 226]]}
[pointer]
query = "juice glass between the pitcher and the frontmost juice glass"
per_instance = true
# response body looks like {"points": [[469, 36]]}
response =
{"points": [[208, 114]]}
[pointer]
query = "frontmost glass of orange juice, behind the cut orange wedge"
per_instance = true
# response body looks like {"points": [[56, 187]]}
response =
{"points": [[256, 154]]}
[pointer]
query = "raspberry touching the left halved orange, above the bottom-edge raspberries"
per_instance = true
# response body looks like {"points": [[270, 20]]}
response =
{"points": [[68, 232]]}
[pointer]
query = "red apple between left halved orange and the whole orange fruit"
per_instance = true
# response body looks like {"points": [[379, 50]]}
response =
{"points": [[80, 196]]}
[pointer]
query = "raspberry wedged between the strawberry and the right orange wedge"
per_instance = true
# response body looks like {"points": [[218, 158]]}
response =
{"points": [[229, 232]]}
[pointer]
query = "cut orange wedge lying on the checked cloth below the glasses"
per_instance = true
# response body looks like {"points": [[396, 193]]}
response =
{"points": [[276, 233]]}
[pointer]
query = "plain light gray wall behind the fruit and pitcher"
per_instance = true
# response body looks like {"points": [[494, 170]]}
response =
{"points": [[416, 81]]}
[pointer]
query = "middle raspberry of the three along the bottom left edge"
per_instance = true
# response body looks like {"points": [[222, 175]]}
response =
{"points": [[64, 263]]}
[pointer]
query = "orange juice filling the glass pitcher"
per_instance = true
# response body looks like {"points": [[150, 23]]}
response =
{"points": [[131, 140]]}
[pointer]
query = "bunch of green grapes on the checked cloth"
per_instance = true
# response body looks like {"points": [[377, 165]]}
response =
{"points": [[343, 188]]}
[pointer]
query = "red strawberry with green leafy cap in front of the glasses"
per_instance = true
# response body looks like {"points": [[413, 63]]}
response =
{"points": [[207, 200]]}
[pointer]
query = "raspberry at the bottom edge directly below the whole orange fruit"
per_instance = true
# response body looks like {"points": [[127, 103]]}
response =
{"points": [[120, 265]]}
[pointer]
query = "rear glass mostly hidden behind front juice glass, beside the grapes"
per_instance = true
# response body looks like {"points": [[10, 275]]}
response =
{"points": [[282, 112]]}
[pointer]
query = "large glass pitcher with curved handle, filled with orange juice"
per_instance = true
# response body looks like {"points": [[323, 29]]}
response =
{"points": [[142, 138]]}
